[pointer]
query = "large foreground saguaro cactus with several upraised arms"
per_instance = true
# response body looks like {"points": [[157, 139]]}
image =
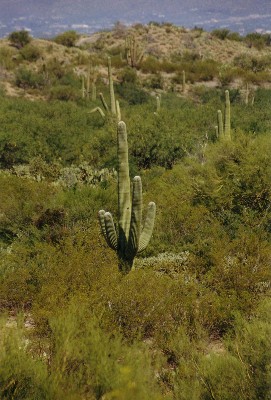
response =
{"points": [[130, 237]]}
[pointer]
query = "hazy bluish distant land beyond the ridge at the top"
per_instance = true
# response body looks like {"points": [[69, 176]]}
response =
{"points": [[45, 19]]}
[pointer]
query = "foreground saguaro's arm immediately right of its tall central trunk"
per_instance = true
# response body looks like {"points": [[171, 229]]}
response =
{"points": [[136, 216]]}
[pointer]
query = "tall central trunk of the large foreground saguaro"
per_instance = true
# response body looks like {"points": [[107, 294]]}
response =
{"points": [[124, 204]]}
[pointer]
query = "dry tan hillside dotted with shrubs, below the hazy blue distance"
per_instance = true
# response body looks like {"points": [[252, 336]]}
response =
{"points": [[219, 58]]}
